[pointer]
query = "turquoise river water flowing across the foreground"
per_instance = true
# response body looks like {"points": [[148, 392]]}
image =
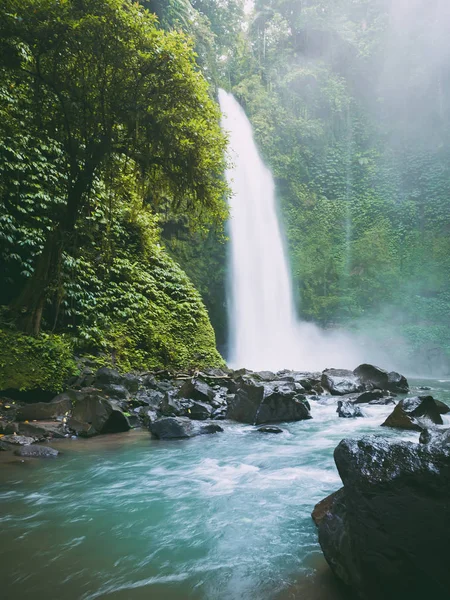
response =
{"points": [[224, 516]]}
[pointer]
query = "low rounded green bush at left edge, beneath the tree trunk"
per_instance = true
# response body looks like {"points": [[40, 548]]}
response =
{"points": [[28, 363]]}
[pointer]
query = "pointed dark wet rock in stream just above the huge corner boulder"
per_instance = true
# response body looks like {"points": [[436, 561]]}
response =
{"points": [[414, 414]]}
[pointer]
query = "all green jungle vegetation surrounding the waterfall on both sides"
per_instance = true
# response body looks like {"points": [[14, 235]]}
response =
{"points": [[111, 169]]}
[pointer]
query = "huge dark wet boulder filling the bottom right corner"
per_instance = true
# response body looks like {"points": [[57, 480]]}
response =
{"points": [[386, 533]]}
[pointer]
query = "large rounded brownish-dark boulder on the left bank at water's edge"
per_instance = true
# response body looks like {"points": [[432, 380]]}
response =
{"points": [[92, 414]]}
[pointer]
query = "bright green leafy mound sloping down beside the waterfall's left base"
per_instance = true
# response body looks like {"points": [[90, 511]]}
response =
{"points": [[146, 315]]}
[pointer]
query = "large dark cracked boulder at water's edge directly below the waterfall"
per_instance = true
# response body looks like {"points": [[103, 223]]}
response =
{"points": [[256, 404]]}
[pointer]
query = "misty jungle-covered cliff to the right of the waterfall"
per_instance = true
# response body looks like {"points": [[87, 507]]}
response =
{"points": [[350, 102]]}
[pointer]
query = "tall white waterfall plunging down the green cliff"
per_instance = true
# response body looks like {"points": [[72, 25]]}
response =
{"points": [[264, 330]]}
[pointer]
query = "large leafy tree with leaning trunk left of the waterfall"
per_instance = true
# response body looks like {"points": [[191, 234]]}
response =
{"points": [[106, 82]]}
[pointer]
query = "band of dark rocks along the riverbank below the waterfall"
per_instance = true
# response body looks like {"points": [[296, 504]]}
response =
{"points": [[180, 405]]}
